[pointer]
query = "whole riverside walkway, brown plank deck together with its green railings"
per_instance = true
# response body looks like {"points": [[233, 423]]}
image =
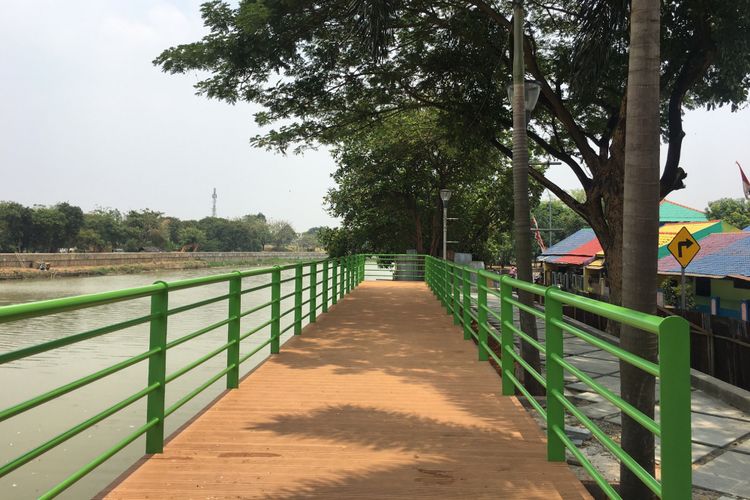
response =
{"points": [[381, 395]]}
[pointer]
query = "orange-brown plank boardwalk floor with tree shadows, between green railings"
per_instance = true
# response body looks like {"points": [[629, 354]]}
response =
{"points": [[381, 398]]}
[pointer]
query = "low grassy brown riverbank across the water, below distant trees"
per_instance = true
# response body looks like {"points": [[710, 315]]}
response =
{"points": [[26, 273]]}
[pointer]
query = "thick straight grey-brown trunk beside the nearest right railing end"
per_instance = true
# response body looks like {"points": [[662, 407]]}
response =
{"points": [[640, 233]]}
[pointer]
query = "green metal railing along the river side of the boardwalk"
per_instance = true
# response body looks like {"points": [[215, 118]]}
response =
{"points": [[328, 281]]}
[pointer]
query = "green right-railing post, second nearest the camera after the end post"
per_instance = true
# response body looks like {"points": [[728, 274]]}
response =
{"points": [[555, 384]]}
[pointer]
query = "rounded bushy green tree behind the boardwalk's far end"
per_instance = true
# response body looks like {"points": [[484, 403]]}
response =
{"points": [[388, 180]]}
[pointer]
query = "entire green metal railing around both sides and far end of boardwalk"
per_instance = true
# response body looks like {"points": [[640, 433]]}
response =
{"points": [[328, 281]]}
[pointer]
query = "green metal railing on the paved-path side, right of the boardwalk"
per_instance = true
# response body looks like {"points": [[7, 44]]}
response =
{"points": [[452, 284]]}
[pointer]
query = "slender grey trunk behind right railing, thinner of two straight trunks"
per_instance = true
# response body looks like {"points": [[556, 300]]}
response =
{"points": [[522, 219]]}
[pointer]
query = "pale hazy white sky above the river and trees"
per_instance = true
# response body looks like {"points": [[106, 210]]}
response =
{"points": [[86, 118]]}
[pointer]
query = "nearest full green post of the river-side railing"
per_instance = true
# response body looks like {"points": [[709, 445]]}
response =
{"points": [[157, 369]]}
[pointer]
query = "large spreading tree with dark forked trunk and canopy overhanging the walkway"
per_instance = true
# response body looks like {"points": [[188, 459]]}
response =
{"points": [[346, 64]]}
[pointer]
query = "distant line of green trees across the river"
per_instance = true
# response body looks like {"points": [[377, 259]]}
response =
{"points": [[64, 226]]}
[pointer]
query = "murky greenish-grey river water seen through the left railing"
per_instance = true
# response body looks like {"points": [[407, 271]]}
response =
{"points": [[23, 379]]}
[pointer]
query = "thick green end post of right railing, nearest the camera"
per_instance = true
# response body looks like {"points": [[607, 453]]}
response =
{"points": [[674, 372]]}
